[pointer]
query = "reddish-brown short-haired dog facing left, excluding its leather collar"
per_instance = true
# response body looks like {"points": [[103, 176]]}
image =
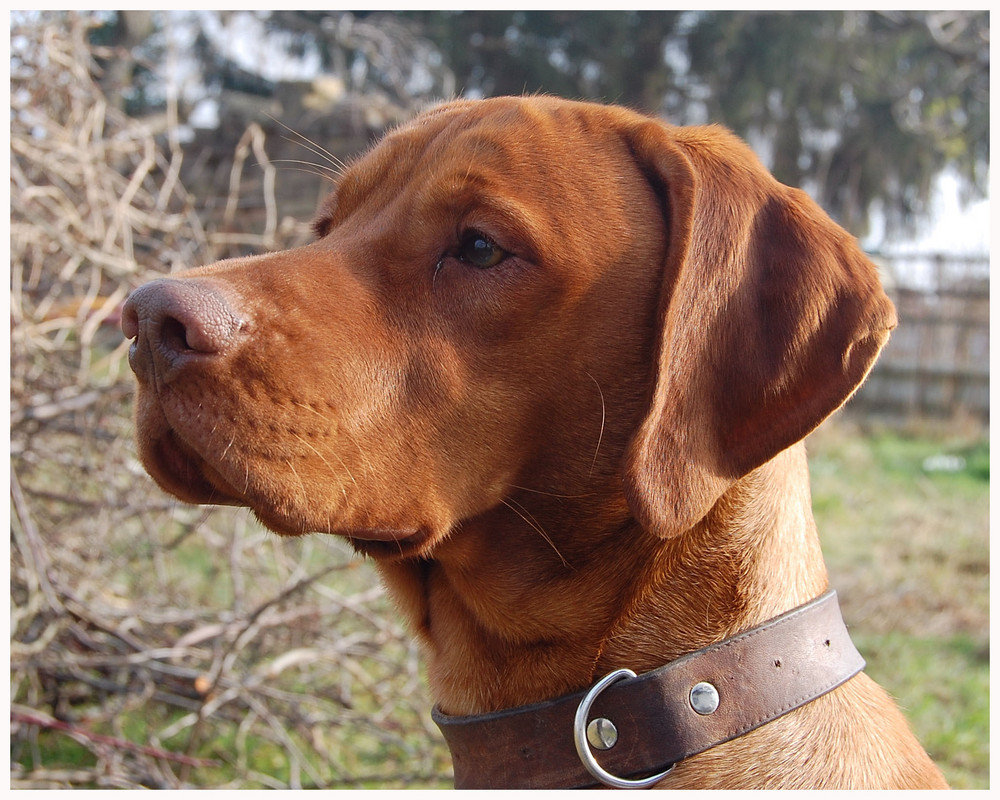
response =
{"points": [[549, 364]]}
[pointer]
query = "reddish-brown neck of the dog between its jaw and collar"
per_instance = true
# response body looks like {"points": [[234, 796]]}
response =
{"points": [[511, 614]]}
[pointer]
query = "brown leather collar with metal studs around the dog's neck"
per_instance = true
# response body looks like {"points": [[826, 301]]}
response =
{"points": [[757, 676]]}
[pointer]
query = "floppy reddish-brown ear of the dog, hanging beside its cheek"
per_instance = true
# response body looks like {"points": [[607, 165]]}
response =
{"points": [[770, 317]]}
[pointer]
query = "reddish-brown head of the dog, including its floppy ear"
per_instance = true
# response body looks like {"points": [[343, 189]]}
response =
{"points": [[508, 295]]}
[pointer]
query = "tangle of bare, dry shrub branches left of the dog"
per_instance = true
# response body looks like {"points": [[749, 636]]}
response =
{"points": [[152, 644]]}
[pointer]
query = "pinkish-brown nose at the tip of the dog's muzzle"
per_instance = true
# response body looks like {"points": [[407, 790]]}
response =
{"points": [[177, 322]]}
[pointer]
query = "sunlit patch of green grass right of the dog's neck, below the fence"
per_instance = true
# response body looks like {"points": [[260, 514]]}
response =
{"points": [[907, 546]]}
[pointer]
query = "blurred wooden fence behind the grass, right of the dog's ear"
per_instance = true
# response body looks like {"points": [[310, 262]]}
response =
{"points": [[936, 365]]}
